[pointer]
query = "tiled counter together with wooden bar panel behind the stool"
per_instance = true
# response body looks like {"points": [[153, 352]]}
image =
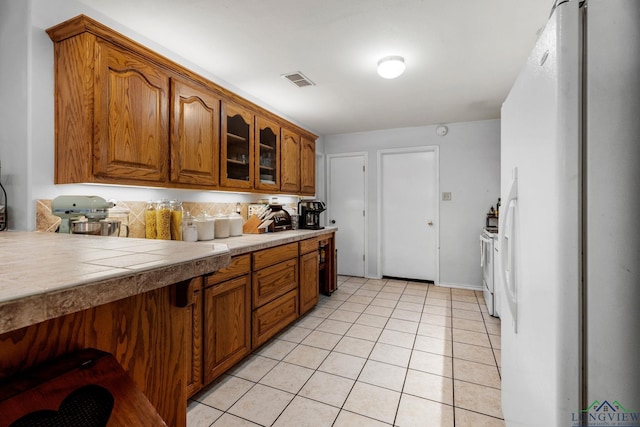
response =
{"points": [[129, 297]]}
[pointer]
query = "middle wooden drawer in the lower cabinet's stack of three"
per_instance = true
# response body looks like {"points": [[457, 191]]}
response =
{"points": [[272, 282]]}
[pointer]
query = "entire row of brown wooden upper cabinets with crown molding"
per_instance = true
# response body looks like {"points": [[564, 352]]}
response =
{"points": [[126, 115]]}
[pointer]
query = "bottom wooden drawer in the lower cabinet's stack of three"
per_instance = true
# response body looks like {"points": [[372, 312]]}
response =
{"points": [[271, 318]]}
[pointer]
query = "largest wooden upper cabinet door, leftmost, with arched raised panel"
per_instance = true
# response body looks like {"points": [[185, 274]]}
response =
{"points": [[130, 117]]}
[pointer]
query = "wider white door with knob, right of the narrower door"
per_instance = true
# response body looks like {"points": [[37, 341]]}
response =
{"points": [[408, 188]]}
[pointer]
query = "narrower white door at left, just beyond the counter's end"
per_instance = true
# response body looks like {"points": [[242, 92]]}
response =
{"points": [[345, 209]]}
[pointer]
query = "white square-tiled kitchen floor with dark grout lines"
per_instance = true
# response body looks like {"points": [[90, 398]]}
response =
{"points": [[375, 353]]}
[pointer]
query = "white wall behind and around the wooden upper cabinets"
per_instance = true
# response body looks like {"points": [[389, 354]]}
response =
{"points": [[27, 111]]}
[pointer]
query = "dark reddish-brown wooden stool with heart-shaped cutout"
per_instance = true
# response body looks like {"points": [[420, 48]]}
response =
{"points": [[87, 388]]}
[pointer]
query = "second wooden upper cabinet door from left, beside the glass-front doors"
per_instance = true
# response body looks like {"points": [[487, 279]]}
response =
{"points": [[195, 134]]}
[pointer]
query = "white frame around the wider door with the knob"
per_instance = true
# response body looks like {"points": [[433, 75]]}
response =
{"points": [[427, 148]]}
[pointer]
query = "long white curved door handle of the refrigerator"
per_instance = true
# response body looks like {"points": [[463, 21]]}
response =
{"points": [[507, 248]]}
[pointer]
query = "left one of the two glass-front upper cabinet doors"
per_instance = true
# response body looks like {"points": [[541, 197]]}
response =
{"points": [[236, 152]]}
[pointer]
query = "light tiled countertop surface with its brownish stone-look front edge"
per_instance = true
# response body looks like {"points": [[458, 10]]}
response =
{"points": [[48, 275]]}
